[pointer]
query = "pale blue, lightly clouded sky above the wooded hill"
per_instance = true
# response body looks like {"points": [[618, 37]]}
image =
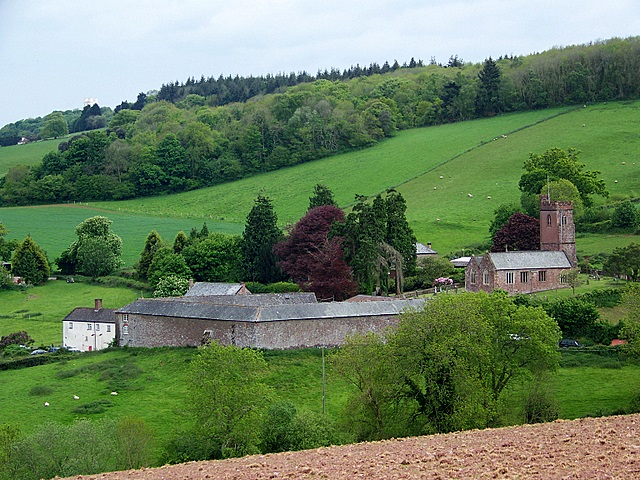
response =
{"points": [[54, 54]]}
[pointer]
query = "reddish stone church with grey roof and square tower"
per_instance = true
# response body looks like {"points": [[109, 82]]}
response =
{"points": [[535, 270]]}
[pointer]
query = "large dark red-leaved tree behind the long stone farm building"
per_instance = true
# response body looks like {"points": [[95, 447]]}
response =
{"points": [[312, 260]]}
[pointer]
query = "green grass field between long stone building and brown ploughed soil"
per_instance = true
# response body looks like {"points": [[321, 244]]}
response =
{"points": [[156, 385]]}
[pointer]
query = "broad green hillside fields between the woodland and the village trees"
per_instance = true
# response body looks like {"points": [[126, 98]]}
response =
{"points": [[439, 210]]}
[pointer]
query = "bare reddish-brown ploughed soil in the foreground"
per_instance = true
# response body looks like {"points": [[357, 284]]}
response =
{"points": [[593, 448]]}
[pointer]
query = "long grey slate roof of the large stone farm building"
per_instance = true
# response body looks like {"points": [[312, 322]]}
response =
{"points": [[239, 313]]}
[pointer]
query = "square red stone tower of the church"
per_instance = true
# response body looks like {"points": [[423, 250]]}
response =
{"points": [[557, 230]]}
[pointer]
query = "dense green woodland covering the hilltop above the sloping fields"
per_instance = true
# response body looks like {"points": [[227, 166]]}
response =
{"points": [[172, 142]]}
